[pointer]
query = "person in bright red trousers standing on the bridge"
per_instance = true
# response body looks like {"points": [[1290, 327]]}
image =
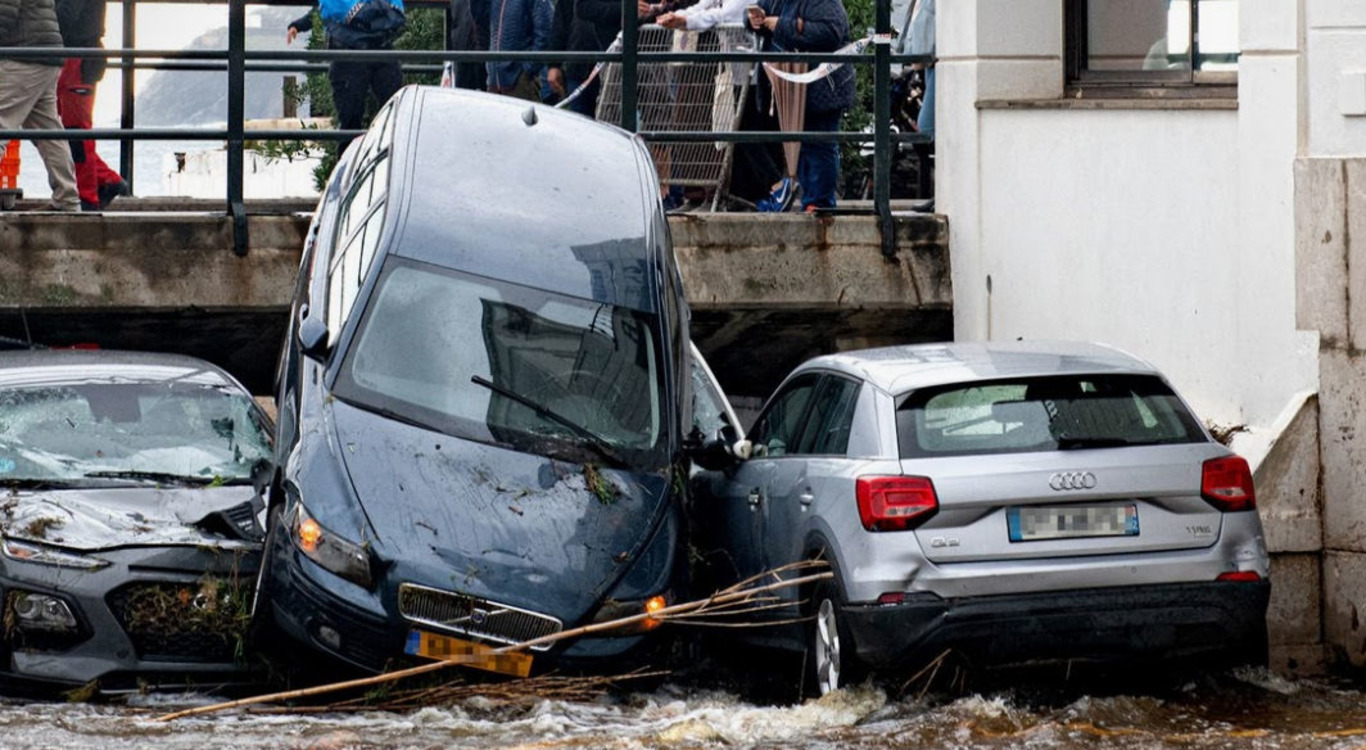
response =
{"points": [[83, 27]]}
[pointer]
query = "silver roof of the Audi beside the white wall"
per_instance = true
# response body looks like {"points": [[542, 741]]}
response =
{"points": [[908, 368]]}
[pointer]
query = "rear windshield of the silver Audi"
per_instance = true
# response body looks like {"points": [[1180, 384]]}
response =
{"points": [[1055, 413]]}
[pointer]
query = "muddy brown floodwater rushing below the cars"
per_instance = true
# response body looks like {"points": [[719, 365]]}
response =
{"points": [[1248, 708]]}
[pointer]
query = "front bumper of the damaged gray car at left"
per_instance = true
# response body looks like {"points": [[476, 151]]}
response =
{"points": [[152, 617]]}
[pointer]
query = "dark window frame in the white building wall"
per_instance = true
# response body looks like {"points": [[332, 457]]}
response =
{"points": [[1155, 84]]}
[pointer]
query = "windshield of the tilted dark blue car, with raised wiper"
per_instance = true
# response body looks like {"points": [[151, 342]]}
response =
{"points": [[476, 357]]}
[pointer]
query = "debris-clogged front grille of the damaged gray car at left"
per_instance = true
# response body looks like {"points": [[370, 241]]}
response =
{"points": [[203, 622]]}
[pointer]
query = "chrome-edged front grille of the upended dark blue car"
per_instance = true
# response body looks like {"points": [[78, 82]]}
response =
{"points": [[475, 617]]}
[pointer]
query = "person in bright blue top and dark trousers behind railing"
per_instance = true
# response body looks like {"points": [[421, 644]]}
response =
{"points": [[357, 25]]}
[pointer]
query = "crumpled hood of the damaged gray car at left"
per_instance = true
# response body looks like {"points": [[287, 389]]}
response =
{"points": [[94, 520]]}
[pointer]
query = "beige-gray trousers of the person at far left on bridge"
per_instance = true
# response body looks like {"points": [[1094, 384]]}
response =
{"points": [[29, 102]]}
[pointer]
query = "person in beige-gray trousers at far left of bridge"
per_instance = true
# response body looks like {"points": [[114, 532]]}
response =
{"points": [[29, 91]]}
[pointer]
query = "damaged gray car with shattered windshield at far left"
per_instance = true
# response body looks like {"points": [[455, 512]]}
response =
{"points": [[129, 520]]}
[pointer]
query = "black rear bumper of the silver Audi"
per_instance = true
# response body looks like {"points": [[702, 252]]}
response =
{"points": [[1177, 621]]}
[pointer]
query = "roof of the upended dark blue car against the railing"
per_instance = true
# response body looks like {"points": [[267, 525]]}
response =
{"points": [[544, 197]]}
